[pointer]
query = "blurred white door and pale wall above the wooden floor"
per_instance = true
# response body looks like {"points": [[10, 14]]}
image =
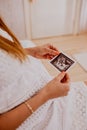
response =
{"points": [[33, 19]]}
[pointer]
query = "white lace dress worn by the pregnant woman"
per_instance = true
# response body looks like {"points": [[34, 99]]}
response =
{"points": [[19, 81]]}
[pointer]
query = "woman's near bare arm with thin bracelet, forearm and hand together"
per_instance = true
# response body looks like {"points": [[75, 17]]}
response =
{"points": [[54, 89]]}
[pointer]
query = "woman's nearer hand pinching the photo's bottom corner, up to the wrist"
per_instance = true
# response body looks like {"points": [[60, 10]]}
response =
{"points": [[57, 87]]}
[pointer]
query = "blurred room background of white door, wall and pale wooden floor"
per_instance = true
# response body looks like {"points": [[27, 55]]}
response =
{"points": [[62, 23]]}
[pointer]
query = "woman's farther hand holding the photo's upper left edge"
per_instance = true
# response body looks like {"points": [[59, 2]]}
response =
{"points": [[46, 51]]}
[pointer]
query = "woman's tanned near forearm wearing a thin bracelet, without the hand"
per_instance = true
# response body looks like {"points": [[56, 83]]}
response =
{"points": [[12, 119]]}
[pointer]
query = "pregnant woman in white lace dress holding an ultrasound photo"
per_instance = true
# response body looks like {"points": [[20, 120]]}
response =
{"points": [[29, 97]]}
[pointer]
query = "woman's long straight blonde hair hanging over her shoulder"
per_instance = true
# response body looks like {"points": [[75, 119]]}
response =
{"points": [[12, 47]]}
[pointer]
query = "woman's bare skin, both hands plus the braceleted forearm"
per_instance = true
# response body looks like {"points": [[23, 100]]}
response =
{"points": [[58, 87]]}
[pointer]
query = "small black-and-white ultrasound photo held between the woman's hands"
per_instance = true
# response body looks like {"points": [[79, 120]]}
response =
{"points": [[62, 62]]}
